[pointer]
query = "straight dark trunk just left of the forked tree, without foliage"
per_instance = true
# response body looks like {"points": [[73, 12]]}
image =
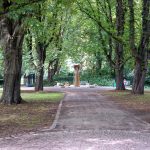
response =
{"points": [[120, 13]]}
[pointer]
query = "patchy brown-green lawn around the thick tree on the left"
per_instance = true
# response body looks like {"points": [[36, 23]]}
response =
{"points": [[38, 112]]}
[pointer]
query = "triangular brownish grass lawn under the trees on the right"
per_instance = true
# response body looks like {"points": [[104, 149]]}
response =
{"points": [[137, 104]]}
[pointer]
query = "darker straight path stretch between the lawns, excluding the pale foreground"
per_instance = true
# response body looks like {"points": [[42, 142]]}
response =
{"points": [[91, 111]]}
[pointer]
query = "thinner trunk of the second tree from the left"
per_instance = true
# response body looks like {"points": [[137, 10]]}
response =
{"points": [[41, 55]]}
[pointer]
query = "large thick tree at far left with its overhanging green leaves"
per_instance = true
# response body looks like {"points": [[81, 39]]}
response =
{"points": [[12, 34]]}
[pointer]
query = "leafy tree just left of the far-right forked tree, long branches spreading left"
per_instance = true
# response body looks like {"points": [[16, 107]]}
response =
{"points": [[102, 13]]}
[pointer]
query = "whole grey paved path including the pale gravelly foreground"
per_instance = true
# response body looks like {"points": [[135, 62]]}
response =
{"points": [[87, 121]]}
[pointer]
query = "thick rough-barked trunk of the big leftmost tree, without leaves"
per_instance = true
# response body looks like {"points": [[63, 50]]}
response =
{"points": [[12, 45]]}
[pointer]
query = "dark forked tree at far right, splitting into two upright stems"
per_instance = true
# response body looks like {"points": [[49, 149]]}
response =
{"points": [[140, 52]]}
